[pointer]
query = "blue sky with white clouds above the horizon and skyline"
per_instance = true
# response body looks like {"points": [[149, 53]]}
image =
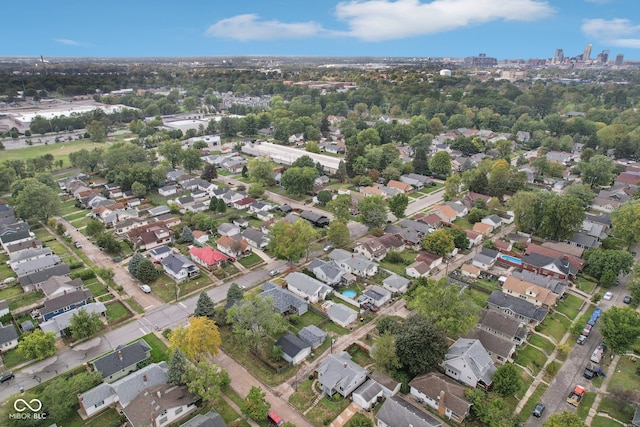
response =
{"points": [[410, 28]]}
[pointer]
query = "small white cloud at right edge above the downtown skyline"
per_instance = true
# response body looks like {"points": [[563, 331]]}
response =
{"points": [[616, 32]]}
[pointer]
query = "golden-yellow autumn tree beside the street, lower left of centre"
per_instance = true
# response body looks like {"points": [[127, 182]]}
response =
{"points": [[199, 340]]}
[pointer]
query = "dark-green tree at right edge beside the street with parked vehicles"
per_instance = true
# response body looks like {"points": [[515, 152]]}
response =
{"points": [[620, 327]]}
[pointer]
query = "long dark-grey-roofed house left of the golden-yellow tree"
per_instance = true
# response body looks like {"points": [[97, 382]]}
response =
{"points": [[123, 361]]}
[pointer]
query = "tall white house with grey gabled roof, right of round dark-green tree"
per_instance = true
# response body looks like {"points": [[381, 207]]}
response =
{"points": [[468, 362]]}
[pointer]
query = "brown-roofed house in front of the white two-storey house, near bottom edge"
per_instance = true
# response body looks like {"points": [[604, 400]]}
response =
{"points": [[442, 395]]}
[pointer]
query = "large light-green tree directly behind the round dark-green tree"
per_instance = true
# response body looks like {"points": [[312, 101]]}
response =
{"points": [[444, 305]]}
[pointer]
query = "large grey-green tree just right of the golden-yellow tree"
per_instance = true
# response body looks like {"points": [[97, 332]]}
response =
{"points": [[254, 319]]}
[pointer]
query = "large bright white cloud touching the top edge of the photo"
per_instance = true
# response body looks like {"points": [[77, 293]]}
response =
{"points": [[376, 20]]}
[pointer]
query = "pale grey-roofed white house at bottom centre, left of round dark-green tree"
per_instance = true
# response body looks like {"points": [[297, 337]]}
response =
{"points": [[337, 373]]}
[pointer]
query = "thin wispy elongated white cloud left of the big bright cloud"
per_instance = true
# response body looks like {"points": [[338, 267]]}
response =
{"points": [[250, 27]]}
